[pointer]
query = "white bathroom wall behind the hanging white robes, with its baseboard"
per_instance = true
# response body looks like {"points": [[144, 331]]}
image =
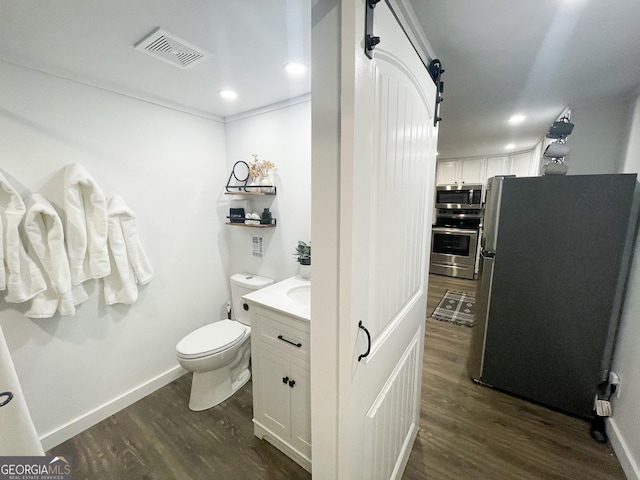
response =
{"points": [[169, 167]]}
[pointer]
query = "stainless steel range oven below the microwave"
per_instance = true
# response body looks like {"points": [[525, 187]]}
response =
{"points": [[454, 242]]}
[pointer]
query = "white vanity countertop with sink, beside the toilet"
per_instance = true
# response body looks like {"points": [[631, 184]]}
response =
{"points": [[291, 297]]}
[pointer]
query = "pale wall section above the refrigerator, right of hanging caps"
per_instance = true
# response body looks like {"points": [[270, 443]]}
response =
{"points": [[598, 138]]}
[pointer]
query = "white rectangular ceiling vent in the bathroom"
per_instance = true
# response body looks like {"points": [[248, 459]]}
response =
{"points": [[172, 49]]}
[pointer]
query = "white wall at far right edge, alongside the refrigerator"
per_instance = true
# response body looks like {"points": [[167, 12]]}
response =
{"points": [[625, 434]]}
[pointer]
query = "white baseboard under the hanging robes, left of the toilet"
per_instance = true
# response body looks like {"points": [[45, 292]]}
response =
{"points": [[80, 424]]}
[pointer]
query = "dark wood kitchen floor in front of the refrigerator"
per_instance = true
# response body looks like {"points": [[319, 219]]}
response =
{"points": [[468, 431]]}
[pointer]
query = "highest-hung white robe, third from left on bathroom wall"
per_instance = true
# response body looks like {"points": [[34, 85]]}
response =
{"points": [[86, 225]]}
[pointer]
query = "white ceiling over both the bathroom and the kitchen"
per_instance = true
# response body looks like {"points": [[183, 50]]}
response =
{"points": [[501, 56]]}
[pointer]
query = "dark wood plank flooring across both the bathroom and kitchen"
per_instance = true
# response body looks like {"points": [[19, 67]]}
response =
{"points": [[467, 431]]}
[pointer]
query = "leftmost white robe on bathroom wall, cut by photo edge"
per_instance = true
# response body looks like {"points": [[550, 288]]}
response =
{"points": [[23, 278]]}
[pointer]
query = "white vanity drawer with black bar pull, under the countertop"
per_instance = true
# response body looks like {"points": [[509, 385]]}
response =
{"points": [[282, 335]]}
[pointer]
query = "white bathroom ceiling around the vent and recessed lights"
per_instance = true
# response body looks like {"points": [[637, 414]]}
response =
{"points": [[93, 41]]}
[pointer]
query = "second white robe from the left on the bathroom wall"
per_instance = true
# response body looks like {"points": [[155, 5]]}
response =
{"points": [[45, 240]]}
